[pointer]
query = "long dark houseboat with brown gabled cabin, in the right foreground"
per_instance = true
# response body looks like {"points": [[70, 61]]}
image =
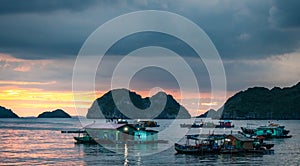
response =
{"points": [[223, 144]]}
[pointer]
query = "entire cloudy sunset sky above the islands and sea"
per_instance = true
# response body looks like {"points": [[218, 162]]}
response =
{"points": [[257, 41]]}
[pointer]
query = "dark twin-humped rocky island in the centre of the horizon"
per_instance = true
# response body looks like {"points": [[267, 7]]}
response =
{"points": [[106, 107]]}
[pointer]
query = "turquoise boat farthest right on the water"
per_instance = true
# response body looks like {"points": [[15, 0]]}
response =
{"points": [[268, 131]]}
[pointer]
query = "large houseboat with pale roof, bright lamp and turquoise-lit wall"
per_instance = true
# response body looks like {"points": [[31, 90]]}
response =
{"points": [[116, 133]]}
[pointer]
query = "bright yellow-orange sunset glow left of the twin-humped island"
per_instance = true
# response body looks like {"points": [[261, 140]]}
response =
{"points": [[32, 101]]}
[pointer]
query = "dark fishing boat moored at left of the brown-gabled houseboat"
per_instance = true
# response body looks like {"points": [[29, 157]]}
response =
{"points": [[199, 146]]}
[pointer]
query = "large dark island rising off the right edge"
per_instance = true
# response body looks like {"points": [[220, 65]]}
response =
{"points": [[261, 103]]}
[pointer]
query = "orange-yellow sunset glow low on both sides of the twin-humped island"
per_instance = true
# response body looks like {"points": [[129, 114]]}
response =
{"points": [[32, 102]]}
